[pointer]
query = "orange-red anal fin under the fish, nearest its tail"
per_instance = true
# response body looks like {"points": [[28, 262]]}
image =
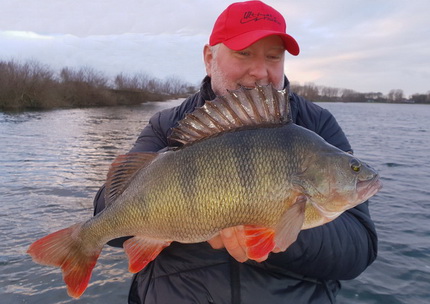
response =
{"points": [[141, 251]]}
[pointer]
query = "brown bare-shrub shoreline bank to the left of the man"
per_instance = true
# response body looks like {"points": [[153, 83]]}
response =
{"points": [[32, 86]]}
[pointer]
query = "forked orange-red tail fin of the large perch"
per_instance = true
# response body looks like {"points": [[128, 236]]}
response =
{"points": [[63, 249]]}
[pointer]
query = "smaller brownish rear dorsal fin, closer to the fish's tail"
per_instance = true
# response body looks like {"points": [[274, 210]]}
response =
{"points": [[122, 170]]}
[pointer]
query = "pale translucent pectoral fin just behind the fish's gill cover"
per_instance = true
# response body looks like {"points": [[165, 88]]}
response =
{"points": [[290, 224]]}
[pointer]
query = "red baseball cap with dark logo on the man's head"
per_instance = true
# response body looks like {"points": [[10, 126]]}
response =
{"points": [[243, 23]]}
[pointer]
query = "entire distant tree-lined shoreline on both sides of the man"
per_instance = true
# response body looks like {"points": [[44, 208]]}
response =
{"points": [[33, 86]]}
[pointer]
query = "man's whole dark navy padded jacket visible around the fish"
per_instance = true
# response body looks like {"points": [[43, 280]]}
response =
{"points": [[308, 272]]}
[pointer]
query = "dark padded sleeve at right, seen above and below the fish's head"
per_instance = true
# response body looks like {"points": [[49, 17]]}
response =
{"points": [[343, 248]]}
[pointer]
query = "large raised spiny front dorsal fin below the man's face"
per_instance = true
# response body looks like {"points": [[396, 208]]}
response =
{"points": [[262, 105]]}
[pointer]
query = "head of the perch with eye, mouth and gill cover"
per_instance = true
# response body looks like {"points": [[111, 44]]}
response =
{"points": [[336, 181]]}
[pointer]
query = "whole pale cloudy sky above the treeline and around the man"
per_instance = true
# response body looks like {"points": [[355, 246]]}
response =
{"points": [[363, 45]]}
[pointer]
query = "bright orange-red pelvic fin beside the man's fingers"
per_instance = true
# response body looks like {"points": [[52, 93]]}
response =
{"points": [[259, 241]]}
